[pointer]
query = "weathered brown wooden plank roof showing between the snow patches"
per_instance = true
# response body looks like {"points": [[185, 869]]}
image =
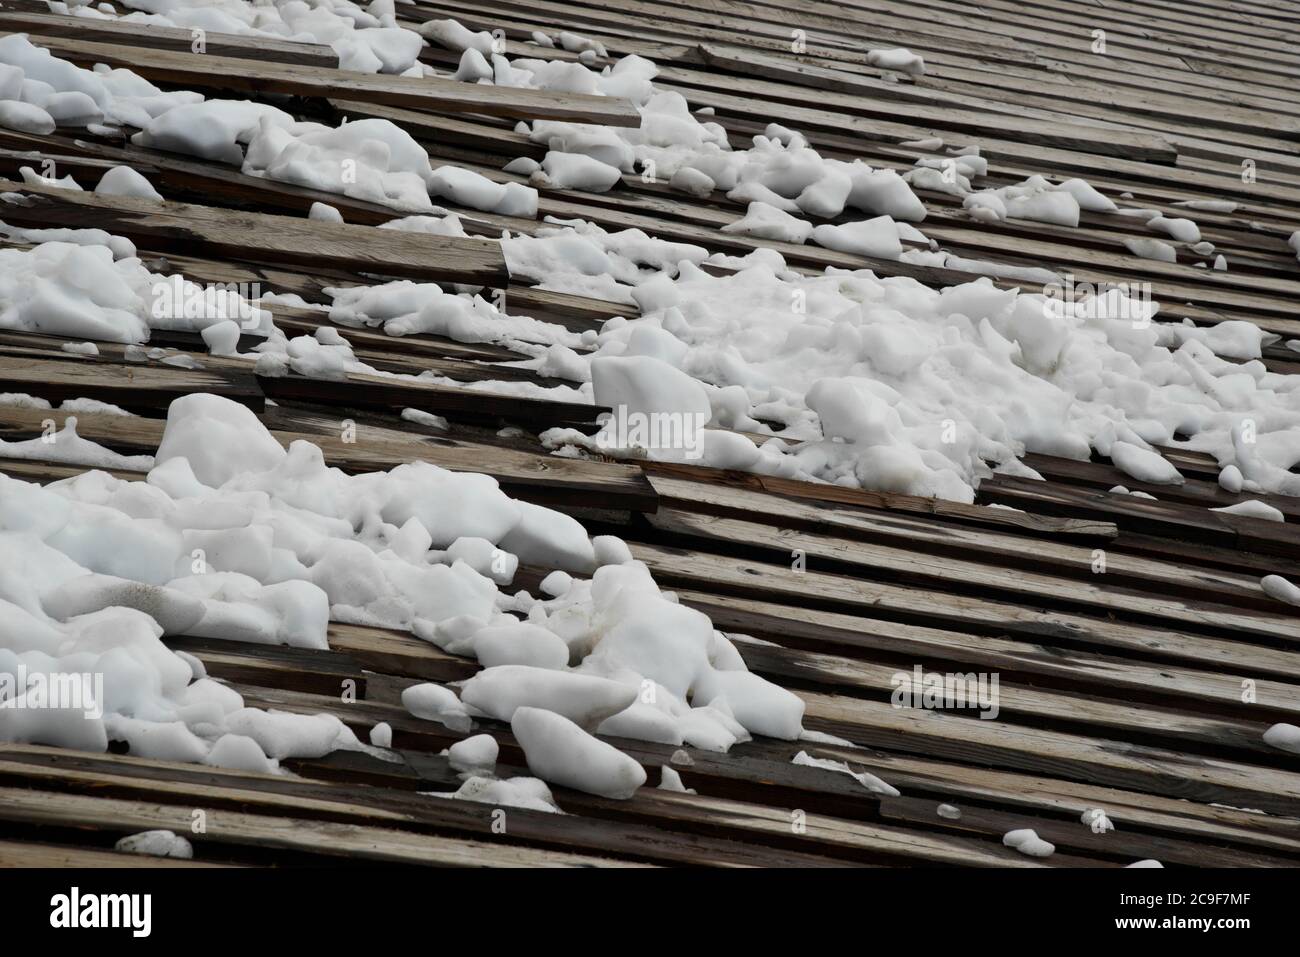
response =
{"points": [[1120, 691]]}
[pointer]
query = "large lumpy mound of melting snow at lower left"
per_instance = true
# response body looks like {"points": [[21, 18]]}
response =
{"points": [[235, 538]]}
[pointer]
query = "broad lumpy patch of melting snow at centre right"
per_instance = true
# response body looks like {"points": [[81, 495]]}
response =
{"points": [[1012, 373]]}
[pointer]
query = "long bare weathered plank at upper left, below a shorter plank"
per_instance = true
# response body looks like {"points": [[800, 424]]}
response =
{"points": [[448, 96]]}
